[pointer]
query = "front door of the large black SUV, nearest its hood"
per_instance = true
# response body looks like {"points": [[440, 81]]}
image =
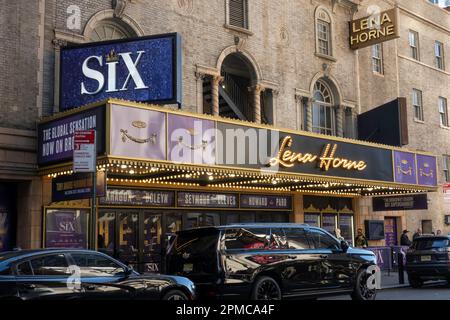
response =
{"points": [[335, 267]]}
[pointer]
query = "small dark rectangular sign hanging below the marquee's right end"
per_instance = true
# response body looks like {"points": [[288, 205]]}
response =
{"points": [[399, 203]]}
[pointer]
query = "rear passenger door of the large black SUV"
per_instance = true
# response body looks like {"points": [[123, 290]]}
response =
{"points": [[301, 268]]}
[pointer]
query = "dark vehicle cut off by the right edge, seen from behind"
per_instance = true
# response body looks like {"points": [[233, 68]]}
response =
{"points": [[428, 258]]}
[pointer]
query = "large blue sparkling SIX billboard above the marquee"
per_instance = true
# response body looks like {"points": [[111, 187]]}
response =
{"points": [[146, 69]]}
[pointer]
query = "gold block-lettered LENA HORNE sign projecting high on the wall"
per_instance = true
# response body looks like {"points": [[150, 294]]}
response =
{"points": [[374, 29]]}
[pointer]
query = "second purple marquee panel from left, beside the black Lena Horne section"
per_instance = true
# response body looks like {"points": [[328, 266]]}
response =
{"points": [[191, 140]]}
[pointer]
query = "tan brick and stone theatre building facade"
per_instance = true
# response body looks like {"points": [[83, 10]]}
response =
{"points": [[278, 43]]}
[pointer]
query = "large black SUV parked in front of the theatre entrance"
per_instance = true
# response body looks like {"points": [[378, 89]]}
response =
{"points": [[270, 262]]}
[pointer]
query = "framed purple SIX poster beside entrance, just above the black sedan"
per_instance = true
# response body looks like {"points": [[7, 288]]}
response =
{"points": [[66, 228]]}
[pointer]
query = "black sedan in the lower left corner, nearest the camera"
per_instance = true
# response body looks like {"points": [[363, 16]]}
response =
{"points": [[82, 274]]}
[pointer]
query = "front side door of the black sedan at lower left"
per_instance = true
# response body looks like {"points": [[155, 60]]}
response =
{"points": [[101, 277]]}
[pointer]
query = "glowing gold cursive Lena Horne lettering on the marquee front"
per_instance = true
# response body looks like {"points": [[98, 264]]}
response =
{"points": [[288, 159]]}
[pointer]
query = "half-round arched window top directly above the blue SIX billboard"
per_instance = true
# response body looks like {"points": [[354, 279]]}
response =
{"points": [[110, 29]]}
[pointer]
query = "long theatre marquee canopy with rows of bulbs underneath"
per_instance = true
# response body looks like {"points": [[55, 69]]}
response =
{"points": [[154, 146]]}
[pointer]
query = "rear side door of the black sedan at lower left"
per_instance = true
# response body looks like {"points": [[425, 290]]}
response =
{"points": [[45, 277]]}
